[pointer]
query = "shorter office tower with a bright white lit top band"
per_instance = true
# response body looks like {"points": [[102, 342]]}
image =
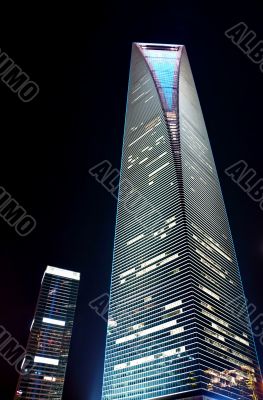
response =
{"points": [[49, 340]]}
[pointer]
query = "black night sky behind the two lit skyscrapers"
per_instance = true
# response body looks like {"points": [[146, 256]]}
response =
{"points": [[80, 59]]}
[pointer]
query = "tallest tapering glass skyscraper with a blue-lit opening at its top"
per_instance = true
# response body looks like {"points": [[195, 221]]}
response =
{"points": [[178, 324]]}
